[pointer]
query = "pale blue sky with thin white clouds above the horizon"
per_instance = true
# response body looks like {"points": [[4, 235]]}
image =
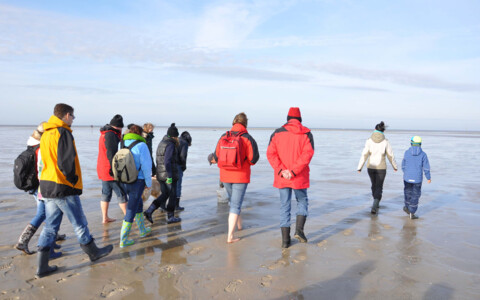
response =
{"points": [[346, 64]]}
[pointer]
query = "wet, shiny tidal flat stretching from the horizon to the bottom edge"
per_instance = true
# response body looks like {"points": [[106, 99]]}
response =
{"points": [[350, 254]]}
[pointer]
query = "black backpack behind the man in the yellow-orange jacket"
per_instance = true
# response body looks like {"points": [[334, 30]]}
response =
{"points": [[25, 170]]}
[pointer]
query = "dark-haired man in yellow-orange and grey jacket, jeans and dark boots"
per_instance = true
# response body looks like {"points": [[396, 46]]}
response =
{"points": [[60, 186]]}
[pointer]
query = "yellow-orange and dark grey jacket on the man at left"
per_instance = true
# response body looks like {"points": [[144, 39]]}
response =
{"points": [[61, 175]]}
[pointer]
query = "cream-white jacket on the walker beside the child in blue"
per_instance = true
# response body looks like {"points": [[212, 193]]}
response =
{"points": [[375, 150]]}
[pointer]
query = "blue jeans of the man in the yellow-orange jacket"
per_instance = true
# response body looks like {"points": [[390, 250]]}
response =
{"points": [[72, 208]]}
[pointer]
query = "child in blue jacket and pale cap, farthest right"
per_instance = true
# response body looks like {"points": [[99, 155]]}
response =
{"points": [[414, 163]]}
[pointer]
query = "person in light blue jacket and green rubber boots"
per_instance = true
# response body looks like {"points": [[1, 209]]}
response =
{"points": [[143, 164]]}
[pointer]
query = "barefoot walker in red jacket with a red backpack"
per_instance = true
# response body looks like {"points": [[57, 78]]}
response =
{"points": [[235, 152]]}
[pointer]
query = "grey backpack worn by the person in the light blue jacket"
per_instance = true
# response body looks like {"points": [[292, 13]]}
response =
{"points": [[123, 164]]}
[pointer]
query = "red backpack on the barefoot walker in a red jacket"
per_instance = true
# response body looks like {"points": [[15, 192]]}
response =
{"points": [[230, 153]]}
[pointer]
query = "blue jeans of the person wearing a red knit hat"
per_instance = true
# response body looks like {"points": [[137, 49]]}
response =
{"points": [[286, 205]]}
